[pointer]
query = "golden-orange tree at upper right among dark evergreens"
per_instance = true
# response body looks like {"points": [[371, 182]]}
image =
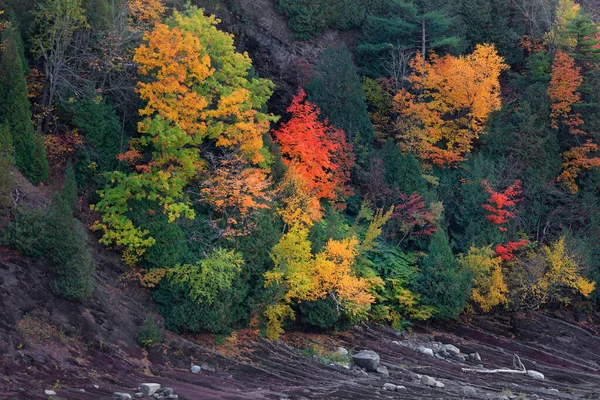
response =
{"points": [[452, 101]]}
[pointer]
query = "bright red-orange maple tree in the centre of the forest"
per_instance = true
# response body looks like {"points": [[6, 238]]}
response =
{"points": [[315, 150]]}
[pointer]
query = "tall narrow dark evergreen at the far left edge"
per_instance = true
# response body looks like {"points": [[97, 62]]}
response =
{"points": [[30, 154]]}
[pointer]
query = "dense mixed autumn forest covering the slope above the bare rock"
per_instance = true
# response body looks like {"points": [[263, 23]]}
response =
{"points": [[444, 162]]}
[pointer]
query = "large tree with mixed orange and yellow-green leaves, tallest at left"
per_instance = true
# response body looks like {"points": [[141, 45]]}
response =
{"points": [[198, 91]]}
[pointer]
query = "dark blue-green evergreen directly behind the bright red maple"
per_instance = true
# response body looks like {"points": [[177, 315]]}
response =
{"points": [[336, 89]]}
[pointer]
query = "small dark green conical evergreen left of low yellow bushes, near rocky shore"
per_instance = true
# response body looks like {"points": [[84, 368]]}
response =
{"points": [[442, 282]]}
